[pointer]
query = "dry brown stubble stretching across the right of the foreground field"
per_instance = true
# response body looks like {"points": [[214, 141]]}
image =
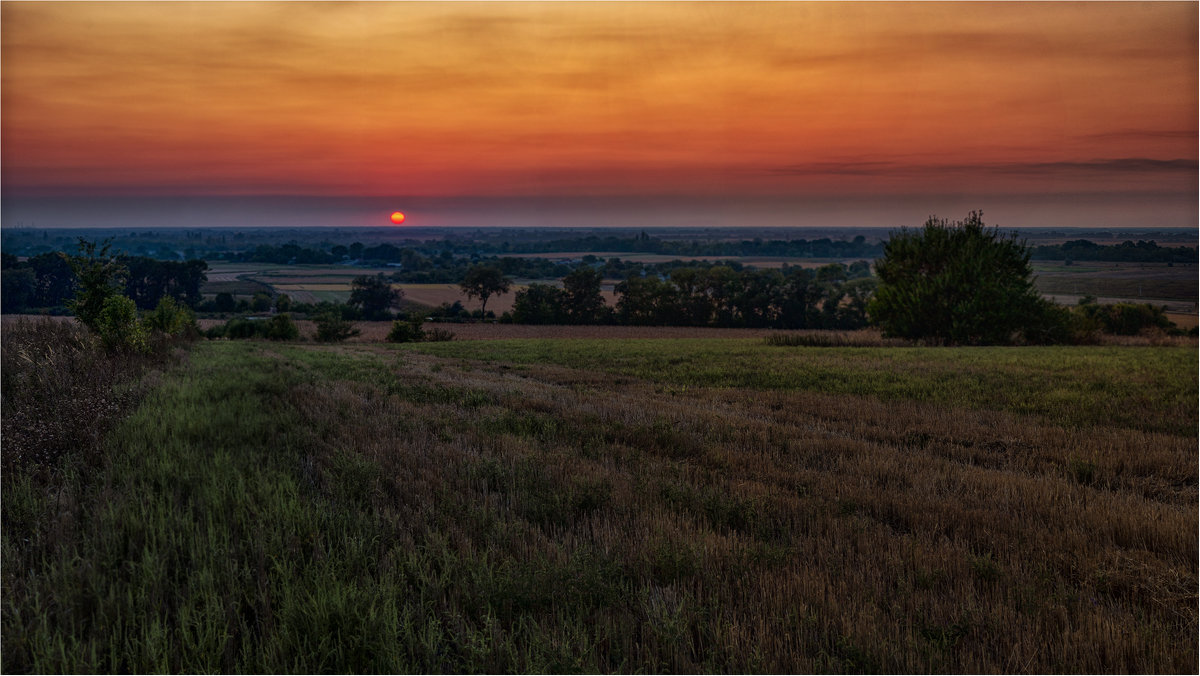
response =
{"points": [[797, 533]]}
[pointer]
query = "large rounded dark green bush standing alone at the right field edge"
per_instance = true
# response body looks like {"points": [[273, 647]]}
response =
{"points": [[957, 284]]}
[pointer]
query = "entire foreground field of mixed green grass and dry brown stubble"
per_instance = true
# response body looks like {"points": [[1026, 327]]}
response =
{"points": [[374, 509]]}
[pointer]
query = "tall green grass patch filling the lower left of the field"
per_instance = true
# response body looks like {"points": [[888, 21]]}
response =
{"points": [[217, 545]]}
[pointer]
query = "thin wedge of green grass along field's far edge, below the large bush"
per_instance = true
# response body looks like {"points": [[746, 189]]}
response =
{"points": [[1149, 388]]}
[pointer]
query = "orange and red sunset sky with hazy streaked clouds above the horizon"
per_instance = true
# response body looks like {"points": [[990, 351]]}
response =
{"points": [[629, 115]]}
